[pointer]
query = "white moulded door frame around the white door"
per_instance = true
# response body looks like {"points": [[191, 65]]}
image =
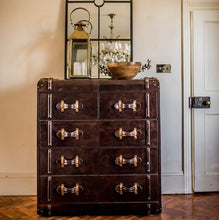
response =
{"points": [[187, 81]]}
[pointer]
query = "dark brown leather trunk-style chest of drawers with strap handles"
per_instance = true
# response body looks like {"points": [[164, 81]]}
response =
{"points": [[98, 147]]}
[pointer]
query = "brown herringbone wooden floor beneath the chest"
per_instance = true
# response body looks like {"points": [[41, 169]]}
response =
{"points": [[176, 207]]}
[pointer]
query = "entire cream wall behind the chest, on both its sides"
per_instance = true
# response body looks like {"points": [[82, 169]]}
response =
{"points": [[32, 47]]}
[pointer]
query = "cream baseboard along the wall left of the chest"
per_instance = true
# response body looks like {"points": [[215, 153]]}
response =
{"points": [[18, 183]]}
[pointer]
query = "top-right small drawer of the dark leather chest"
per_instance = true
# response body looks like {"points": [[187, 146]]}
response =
{"points": [[129, 105]]}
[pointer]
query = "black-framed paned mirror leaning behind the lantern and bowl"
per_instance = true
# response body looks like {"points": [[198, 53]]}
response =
{"points": [[109, 29]]}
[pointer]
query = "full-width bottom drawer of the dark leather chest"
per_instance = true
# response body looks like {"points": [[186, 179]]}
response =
{"points": [[77, 189]]}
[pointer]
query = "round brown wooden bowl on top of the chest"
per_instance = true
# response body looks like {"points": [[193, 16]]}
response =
{"points": [[124, 70]]}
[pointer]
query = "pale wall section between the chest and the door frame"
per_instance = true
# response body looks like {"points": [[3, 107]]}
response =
{"points": [[157, 35]]}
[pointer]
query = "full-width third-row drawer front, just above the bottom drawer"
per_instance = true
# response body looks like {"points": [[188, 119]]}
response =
{"points": [[80, 161]]}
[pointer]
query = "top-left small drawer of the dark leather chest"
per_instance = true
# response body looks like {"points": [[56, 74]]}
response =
{"points": [[68, 106]]}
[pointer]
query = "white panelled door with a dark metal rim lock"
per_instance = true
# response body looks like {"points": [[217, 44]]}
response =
{"points": [[206, 83]]}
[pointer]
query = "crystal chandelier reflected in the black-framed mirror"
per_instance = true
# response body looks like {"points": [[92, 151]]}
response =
{"points": [[112, 50]]}
